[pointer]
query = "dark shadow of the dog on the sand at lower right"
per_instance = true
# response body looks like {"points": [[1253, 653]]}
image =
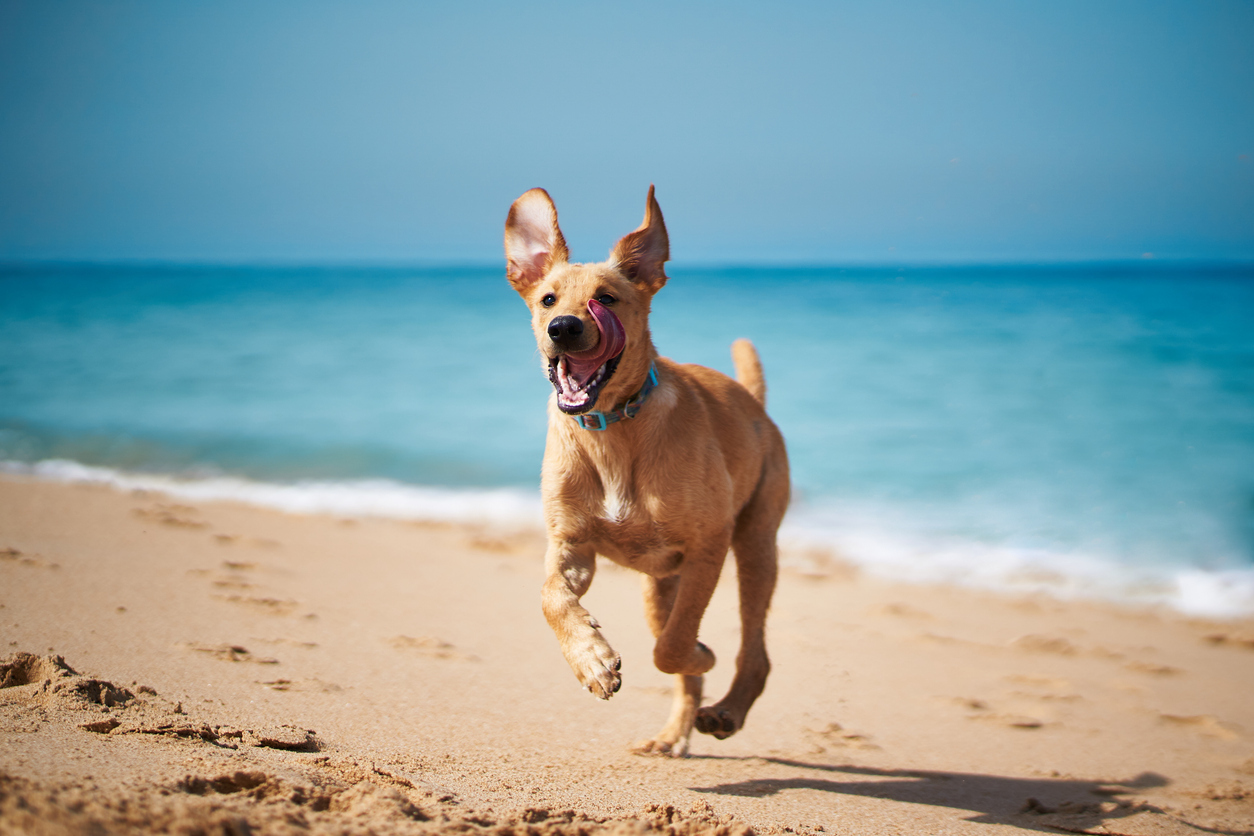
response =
{"points": [[1048, 805]]}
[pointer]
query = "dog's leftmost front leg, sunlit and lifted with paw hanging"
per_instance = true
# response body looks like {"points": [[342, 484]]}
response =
{"points": [[570, 575]]}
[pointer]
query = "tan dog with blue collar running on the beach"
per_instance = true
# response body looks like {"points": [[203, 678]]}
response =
{"points": [[680, 466]]}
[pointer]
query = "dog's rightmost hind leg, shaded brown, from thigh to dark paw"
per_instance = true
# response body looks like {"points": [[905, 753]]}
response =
{"points": [[757, 570]]}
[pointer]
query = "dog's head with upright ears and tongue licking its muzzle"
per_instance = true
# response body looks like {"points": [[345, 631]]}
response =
{"points": [[591, 321]]}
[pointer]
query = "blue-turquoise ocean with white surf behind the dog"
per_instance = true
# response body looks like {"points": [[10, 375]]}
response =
{"points": [[1087, 432]]}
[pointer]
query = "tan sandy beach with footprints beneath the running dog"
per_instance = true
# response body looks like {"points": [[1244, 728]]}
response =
{"points": [[230, 670]]}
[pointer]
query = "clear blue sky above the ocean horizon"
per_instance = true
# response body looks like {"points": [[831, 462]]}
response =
{"points": [[776, 133]]}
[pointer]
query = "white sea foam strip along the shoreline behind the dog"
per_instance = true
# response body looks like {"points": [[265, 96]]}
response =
{"points": [[867, 541]]}
